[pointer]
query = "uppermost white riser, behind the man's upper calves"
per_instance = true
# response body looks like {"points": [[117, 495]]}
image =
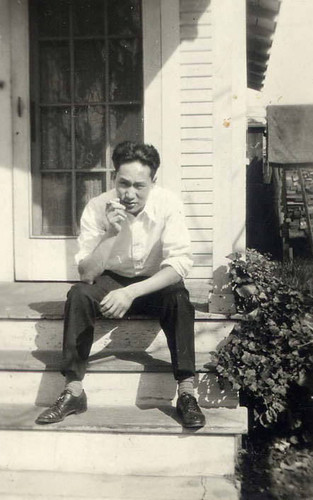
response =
{"points": [[127, 335]]}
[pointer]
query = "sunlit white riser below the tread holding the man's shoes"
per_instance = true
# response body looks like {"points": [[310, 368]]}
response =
{"points": [[122, 454]]}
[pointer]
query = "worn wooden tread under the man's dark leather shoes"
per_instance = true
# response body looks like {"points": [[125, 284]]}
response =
{"points": [[125, 419]]}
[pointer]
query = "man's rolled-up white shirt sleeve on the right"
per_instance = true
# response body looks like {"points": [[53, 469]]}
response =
{"points": [[176, 242]]}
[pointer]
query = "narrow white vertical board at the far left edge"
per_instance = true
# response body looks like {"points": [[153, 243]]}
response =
{"points": [[6, 161]]}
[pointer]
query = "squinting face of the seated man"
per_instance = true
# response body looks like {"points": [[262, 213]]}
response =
{"points": [[133, 184]]}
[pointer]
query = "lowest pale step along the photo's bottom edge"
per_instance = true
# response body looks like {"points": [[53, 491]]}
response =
{"points": [[35, 485]]}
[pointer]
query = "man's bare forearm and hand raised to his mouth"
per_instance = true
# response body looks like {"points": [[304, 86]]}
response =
{"points": [[94, 264]]}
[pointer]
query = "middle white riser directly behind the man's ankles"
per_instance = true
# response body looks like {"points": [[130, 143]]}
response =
{"points": [[105, 389]]}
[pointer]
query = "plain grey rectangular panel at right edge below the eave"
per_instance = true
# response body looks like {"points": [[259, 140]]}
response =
{"points": [[290, 134]]}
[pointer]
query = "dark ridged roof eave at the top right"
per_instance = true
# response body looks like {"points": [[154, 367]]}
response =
{"points": [[261, 25]]}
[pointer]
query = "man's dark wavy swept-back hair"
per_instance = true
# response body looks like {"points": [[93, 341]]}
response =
{"points": [[127, 152]]}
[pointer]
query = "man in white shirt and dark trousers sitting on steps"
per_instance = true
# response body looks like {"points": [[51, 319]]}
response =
{"points": [[133, 254]]}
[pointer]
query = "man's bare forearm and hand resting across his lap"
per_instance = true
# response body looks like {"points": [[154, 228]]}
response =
{"points": [[116, 303]]}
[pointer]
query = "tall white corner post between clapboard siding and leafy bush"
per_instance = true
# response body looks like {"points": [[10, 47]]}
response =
{"points": [[229, 143]]}
